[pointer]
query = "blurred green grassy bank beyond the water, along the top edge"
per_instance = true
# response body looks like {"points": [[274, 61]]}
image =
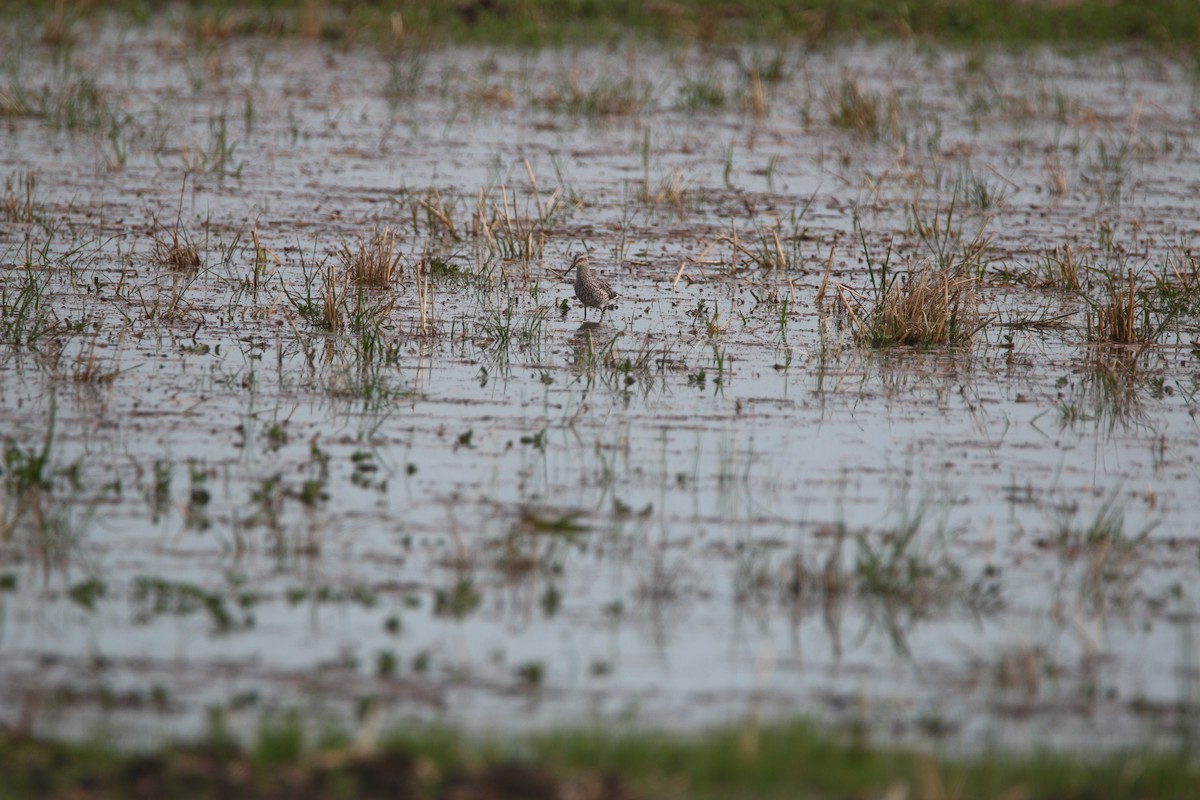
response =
{"points": [[536, 23]]}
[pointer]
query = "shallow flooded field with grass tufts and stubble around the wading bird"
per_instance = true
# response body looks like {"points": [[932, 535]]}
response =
{"points": [[301, 417]]}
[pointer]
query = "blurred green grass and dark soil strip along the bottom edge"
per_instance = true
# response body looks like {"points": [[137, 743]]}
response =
{"points": [[793, 761]]}
